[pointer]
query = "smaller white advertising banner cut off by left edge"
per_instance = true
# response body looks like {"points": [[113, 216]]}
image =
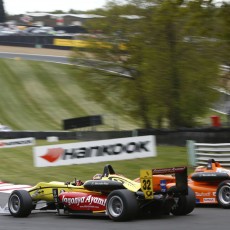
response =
{"points": [[10, 143]]}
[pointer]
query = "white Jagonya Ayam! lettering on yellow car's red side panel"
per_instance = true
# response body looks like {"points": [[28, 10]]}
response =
{"points": [[89, 200]]}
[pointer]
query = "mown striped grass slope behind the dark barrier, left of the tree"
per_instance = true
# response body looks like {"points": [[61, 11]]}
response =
{"points": [[39, 95]]}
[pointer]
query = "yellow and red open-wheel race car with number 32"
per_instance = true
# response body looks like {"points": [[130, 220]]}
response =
{"points": [[111, 194]]}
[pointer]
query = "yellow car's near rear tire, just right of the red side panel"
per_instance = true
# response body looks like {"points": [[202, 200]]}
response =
{"points": [[121, 205]]}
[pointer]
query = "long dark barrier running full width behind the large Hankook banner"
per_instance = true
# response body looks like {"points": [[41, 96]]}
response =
{"points": [[163, 137]]}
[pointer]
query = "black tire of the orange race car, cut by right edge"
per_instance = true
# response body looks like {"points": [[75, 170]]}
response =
{"points": [[223, 194]]}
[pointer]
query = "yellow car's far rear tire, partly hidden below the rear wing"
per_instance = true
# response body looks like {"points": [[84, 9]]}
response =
{"points": [[185, 203]]}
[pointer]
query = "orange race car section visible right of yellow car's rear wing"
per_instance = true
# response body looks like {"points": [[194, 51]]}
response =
{"points": [[211, 184]]}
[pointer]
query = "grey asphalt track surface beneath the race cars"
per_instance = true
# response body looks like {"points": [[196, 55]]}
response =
{"points": [[202, 218]]}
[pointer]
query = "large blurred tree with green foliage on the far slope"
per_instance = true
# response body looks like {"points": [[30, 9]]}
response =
{"points": [[172, 57]]}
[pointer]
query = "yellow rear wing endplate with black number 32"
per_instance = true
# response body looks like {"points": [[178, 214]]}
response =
{"points": [[146, 183]]}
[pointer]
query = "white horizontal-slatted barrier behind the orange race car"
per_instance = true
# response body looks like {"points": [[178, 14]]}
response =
{"points": [[200, 153]]}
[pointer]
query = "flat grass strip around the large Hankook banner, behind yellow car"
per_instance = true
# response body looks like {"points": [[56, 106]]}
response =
{"points": [[17, 165]]}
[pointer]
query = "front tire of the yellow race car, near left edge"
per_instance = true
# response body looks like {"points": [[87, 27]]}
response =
{"points": [[20, 203]]}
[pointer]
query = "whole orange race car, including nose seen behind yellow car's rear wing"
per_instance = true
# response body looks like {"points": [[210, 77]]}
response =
{"points": [[211, 183]]}
